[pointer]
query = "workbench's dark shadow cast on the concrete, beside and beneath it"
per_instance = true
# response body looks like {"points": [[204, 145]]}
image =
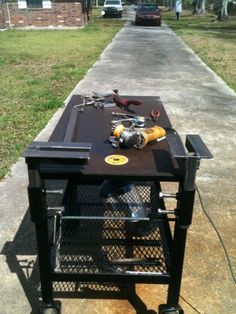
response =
{"points": [[21, 258]]}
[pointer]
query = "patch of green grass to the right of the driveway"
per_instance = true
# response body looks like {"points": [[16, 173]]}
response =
{"points": [[214, 41]]}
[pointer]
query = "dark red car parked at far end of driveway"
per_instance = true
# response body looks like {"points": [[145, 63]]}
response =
{"points": [[148, 13]]}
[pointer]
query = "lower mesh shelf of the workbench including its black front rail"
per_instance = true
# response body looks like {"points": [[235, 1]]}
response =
{"points": [[97, 243]]}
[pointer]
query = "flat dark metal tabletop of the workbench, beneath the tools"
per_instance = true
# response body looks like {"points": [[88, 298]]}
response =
{"points": [[93, 125]]}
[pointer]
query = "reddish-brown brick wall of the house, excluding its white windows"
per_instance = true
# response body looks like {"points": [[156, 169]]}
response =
{"points": [[61, 14]]}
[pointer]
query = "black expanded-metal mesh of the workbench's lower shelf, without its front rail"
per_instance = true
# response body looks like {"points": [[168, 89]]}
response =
{"points": [[105, 245]]}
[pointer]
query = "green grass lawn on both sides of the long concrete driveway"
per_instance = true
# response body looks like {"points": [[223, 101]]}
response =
{"points": [[38, 69]]}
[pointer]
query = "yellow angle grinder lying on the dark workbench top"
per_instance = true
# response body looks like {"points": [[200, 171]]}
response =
{"points": [[124, 137]]}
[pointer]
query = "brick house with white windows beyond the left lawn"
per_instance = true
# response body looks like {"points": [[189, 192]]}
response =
{"points": [[42, 14]]}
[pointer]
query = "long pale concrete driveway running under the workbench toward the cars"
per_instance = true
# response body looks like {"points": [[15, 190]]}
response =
{"points": [[146, 61]]}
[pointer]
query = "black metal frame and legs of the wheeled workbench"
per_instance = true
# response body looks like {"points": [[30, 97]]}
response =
{"points": [[43, 165]]}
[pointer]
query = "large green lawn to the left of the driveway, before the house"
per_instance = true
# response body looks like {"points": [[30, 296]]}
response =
{"points": [[38, 71]]}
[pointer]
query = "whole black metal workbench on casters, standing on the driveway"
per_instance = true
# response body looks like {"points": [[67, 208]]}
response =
{"points": [[83, 239]]}
